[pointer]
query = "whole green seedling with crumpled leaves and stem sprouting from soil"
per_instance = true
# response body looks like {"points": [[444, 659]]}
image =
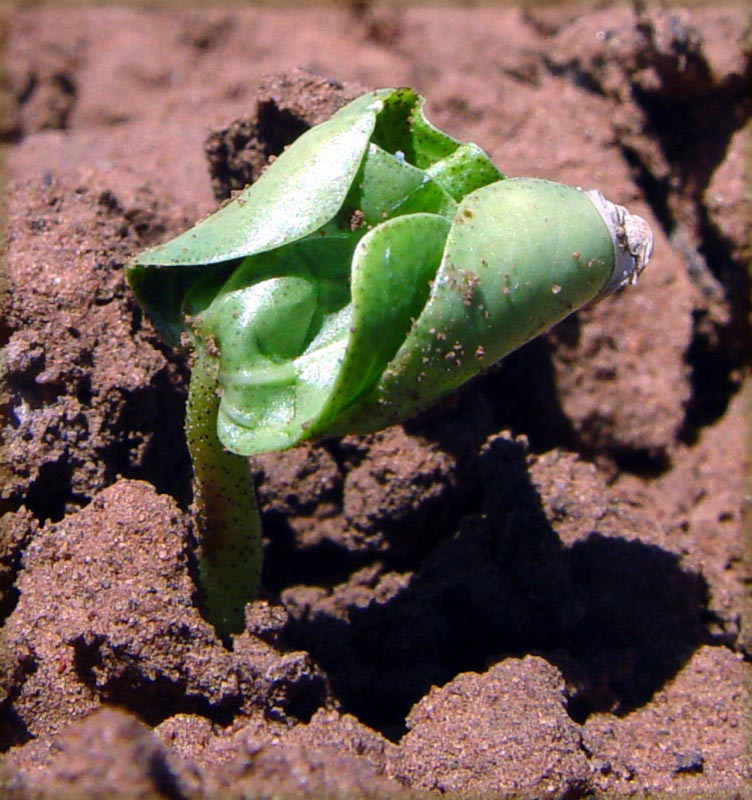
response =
{"points": [[375, 266]]}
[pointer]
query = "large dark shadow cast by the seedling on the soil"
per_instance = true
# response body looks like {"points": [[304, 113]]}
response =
{"points": [[618, 617]]}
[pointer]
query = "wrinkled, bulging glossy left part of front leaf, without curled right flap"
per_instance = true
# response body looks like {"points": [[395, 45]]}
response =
{"points": [[279, 325]]}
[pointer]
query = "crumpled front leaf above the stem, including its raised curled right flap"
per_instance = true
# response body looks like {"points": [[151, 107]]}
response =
{"points": [[294, 348]]}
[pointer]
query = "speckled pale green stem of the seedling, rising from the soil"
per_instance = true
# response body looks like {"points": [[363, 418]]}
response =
{"points": [[227, 514]]}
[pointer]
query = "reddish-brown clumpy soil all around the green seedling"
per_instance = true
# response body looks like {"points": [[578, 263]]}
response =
{"points": [[536, 589]]}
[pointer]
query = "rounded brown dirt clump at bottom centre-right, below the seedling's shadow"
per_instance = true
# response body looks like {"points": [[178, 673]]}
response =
{"points": [[535, 743]]}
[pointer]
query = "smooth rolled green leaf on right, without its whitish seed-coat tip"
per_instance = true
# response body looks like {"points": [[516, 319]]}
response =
{"points": [[521, 255]]}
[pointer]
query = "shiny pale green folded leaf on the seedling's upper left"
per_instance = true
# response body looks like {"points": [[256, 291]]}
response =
{"points": [[301, 191]]}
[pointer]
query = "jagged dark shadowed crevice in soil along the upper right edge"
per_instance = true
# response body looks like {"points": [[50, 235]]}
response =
{"points": [[693, 125]]}
